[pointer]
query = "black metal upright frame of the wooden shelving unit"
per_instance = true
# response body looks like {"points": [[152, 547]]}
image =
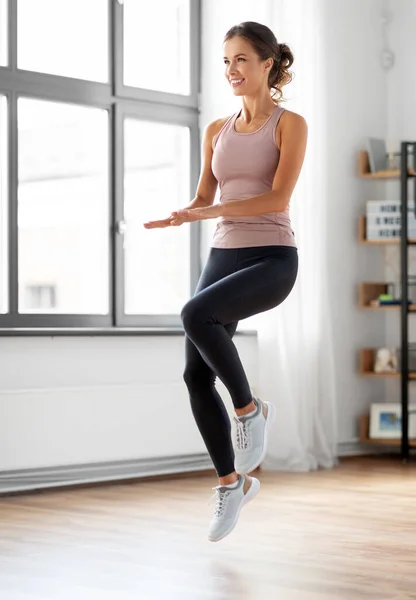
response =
{"points": [[407, 174]]}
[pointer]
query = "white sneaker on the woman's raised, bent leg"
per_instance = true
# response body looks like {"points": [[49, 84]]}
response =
{"points": [[250, 437]]}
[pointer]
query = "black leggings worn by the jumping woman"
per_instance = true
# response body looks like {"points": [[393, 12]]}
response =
{"points": [[235, 284]]}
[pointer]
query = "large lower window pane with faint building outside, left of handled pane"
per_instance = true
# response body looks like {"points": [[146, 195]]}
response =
{"points": [[63, 211]]}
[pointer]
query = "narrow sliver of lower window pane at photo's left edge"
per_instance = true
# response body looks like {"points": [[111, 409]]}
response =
{"points": [[4, 237]]}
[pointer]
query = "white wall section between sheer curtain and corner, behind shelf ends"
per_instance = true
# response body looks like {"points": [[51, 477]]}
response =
{"points": [[357, 107]]}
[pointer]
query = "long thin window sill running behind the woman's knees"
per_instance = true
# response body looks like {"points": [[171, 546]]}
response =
{"points": [[100, 332]]}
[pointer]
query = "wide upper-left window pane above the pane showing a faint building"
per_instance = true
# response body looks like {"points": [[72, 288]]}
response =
{"points": [[65, 37]]}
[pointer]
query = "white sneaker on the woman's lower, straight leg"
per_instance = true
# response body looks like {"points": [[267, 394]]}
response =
{"points": [[229, 503]]}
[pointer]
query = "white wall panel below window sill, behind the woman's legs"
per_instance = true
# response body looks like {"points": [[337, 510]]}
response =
{"points": [[80, 400]]}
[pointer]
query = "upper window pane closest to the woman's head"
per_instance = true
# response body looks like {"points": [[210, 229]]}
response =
{"points": [[157, 58]]}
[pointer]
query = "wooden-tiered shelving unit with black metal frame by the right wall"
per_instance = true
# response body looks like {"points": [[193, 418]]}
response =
{"points": [[369, 292]]}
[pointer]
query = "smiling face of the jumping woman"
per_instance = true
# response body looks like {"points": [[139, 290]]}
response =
{"points": [[244, 71]]}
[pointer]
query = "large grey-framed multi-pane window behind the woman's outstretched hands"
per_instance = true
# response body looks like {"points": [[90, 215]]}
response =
{"points": [[94, 142]]}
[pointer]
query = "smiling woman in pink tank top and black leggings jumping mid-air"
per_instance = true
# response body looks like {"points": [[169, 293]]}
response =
{"points": [[255, 157]]}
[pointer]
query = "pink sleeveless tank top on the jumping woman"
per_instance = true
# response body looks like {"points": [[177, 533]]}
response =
{"points": [[244, 165]]}
